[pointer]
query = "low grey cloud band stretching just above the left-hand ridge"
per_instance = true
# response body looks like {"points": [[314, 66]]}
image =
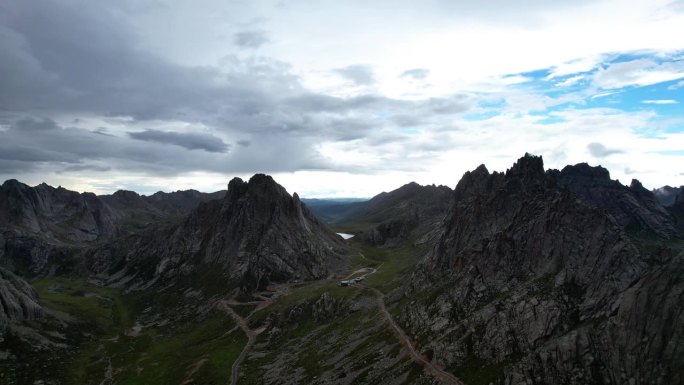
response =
{"points": [[73, 149]]}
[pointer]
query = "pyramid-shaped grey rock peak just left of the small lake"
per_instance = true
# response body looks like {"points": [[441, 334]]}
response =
{"points": [[257, 234]]}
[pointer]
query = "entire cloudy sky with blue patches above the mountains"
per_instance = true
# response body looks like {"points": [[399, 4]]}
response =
{"points": [[336, 98]]}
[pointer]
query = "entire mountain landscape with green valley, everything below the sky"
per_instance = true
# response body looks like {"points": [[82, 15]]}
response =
{"points": [[528, 276]]}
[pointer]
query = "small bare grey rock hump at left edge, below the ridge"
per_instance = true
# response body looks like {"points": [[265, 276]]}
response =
{"points": [[18, 300]]}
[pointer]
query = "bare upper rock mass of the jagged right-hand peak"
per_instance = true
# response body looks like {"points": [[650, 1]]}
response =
{"points": [[507, 229]]}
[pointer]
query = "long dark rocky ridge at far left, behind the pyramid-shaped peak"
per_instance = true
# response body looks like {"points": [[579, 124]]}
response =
{"points": [[43, 224]]}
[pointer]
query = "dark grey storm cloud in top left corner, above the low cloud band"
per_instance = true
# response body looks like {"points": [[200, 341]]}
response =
{"points": [[84, 58]]}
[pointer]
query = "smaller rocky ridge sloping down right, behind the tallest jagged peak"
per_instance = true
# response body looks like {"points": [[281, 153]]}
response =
{"points": [[633, 207]]}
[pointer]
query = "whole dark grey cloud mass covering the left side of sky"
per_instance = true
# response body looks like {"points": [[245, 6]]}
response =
{"points": [[83, 59]]}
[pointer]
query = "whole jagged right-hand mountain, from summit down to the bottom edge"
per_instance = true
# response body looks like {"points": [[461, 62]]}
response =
{"points": [[533, 282]]}
